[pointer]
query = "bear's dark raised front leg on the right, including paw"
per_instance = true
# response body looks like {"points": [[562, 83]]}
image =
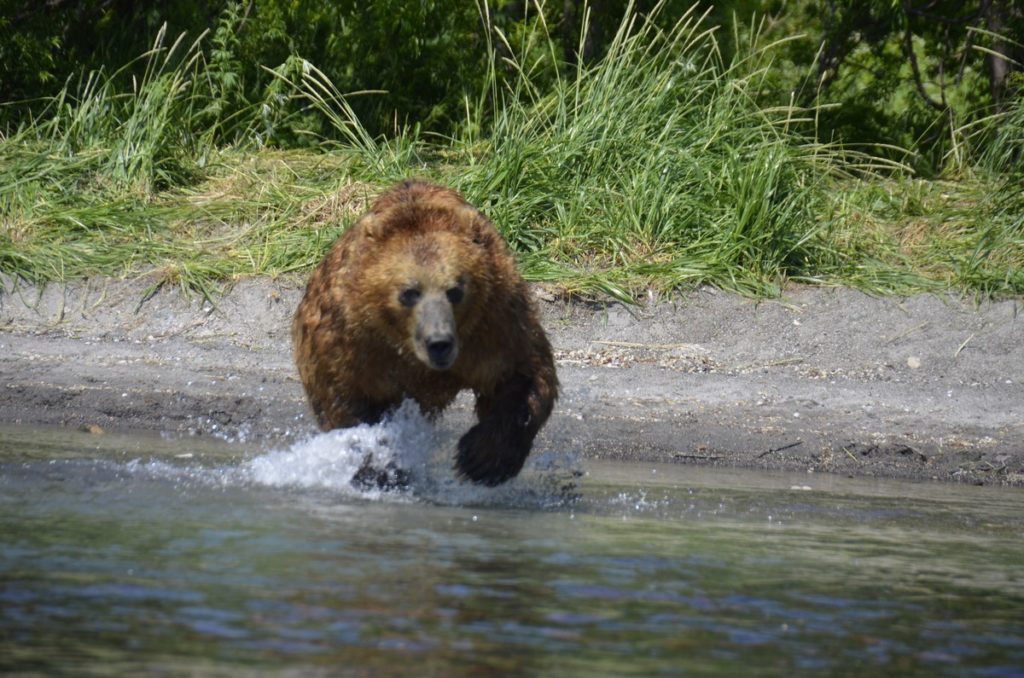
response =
{"points": [[495, 450]]}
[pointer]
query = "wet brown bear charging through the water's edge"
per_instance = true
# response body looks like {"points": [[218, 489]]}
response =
{"points": [[421, 300]]}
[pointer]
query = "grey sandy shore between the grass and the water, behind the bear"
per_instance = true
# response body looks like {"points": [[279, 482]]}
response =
{"points": [[823, 380]]}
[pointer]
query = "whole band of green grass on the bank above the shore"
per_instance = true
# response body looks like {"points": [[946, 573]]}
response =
{"points": [[664, 162]]}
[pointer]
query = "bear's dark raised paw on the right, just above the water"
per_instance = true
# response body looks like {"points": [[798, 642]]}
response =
{"points": [[489, 458]]}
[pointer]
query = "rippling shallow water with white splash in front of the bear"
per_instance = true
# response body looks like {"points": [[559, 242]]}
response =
{"points": [[139, 555]]}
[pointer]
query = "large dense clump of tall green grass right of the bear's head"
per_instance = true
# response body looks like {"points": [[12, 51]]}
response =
{"points": [[655, 167]]}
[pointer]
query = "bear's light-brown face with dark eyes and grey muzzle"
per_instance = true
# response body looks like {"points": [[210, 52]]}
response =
{"points": [[424, 288]]}
